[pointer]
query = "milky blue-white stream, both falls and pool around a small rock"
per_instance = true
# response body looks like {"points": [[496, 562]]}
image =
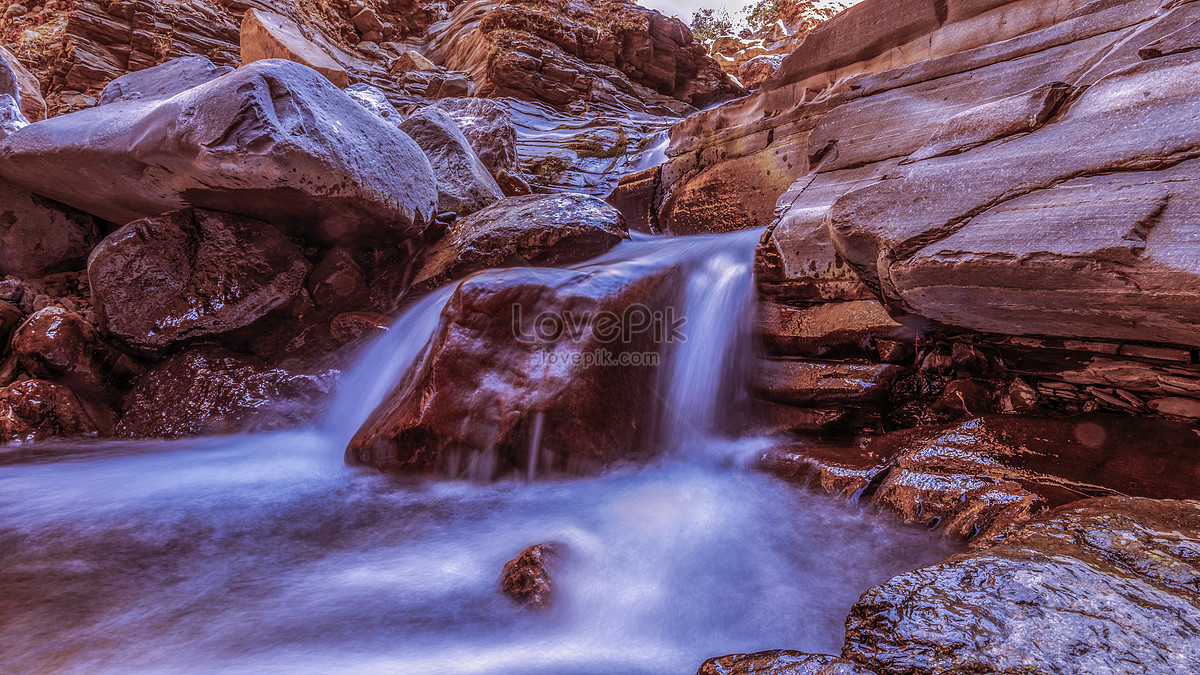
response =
{"points": [[265, 553]]}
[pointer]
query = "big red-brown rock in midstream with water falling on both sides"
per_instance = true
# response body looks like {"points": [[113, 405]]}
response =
{"points": [[461, 413]]}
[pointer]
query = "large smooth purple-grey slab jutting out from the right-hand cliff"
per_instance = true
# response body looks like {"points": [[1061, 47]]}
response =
{"points": [[1085, 228]]}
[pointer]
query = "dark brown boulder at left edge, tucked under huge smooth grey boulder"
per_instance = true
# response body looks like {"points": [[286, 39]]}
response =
{"points": [[40, 237]]}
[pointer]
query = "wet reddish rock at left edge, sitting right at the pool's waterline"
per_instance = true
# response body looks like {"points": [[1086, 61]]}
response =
{"points": [[35, 410]]}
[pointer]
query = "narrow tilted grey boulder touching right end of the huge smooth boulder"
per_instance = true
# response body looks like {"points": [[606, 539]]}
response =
{"points": [[465, 186]]}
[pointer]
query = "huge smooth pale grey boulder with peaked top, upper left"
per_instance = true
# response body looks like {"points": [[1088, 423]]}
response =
{"points": [[273, 140]]}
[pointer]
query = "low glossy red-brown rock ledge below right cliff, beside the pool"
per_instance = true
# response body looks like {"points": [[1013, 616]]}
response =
{"points": [[977, 480]]}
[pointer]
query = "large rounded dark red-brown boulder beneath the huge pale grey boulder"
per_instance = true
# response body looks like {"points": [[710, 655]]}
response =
{"points": [[194, 274]]}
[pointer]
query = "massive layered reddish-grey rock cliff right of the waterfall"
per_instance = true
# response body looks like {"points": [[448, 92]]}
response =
{"points": [[1012, 186]]}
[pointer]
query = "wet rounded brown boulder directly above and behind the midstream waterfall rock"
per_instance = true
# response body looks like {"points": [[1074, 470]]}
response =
{"points": [[536, 230]]}
